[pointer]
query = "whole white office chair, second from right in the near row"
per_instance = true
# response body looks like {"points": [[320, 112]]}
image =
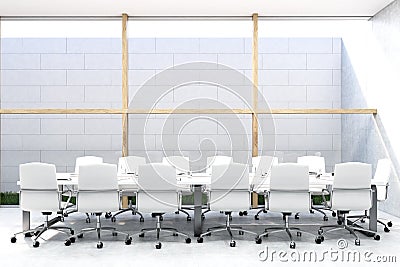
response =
{"points": [[289, 193]]}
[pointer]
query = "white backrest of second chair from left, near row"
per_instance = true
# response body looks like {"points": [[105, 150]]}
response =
{"points": [[98, 188]]}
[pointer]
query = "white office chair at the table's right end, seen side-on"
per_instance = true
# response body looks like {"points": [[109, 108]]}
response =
{"points": [[381, 180]]}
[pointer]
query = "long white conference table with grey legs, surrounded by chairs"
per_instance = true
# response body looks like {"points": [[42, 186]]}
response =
{"points": [[197, 181]]}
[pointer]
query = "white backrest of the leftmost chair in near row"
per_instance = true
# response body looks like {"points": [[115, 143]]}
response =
{"points": [[39, 190]]}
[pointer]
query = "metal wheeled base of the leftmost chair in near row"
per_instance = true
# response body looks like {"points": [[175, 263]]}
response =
{"points": [[47, 225]]}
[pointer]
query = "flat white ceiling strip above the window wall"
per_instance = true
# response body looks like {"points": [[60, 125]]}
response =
{"points": [[191, 7]]}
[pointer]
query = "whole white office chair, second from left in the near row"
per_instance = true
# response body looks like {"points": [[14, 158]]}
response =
{"points": [[98, 193]]}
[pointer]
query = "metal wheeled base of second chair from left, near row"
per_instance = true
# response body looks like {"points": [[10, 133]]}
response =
{"points": [[98, 229]]}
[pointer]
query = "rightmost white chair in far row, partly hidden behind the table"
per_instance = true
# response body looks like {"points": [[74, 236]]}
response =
{"points": [[316, 166]]}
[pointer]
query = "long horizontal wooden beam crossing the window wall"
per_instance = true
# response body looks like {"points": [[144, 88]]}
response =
{"points": [[189, 111]]}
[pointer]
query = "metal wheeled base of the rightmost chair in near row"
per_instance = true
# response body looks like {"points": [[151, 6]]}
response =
{"points": [[344, 225]]}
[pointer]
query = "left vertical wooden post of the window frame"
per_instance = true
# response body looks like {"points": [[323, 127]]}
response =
{"points": [[124, 95]]}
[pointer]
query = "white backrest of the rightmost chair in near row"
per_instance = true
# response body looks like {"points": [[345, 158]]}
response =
{"points": [[351, 188]]}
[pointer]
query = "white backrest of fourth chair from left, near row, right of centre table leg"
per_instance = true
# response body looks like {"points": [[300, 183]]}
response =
{"points": [[230, 187]]}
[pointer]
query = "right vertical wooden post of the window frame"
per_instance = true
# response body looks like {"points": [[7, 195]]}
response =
{"points": [[255, 98]]}
